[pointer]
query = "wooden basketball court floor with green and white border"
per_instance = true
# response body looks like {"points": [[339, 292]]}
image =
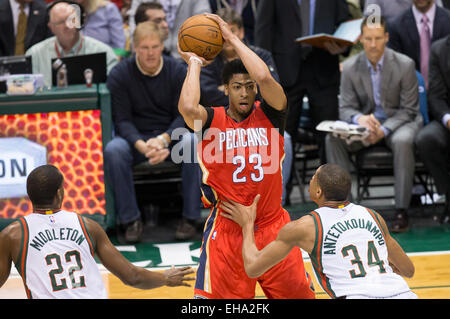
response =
{"points": [[427, 243]]}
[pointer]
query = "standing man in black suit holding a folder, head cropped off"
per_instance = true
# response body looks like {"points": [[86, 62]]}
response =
{"points": [[303, 70]]}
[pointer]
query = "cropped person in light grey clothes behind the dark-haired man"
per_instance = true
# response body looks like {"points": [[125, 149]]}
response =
{"points": [[177, 12]]}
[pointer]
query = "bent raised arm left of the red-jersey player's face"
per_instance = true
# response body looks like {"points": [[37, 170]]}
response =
{"points": [[188, 104]]}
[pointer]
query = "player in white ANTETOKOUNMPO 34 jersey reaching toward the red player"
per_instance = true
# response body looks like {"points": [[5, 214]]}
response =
{"points": [[351, 250]]}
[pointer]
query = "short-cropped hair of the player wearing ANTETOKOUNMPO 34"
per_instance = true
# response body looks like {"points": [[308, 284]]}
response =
{"points": [[334, 181]]}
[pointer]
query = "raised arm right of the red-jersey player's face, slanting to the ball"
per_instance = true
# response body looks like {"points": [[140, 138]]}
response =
{"points": [[271, 90]]}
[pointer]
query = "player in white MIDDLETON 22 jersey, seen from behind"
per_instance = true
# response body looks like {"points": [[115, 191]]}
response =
{"points": [[53, 249]]}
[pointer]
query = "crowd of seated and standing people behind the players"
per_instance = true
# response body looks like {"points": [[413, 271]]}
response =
{"points": [[348, 83]]}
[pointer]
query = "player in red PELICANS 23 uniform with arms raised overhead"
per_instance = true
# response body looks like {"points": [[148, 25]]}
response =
{"points": [[240, 153]]}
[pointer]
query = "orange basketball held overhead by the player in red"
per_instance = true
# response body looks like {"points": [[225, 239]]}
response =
{"points": [[202, 36]]}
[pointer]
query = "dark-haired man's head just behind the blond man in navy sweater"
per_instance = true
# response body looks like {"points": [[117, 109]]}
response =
{"points": [[153, 11]]}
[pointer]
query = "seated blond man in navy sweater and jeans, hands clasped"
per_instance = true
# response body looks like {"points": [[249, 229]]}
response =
{"points": [[144, 96]]}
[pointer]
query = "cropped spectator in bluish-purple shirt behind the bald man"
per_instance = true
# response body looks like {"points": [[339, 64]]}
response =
{"points": [[103, 22]]}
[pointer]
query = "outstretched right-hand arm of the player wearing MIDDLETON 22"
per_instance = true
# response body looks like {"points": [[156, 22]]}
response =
{"points": [[129, 274]]}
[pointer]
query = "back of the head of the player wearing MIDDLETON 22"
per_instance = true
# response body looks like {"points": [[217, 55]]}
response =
{"points": [[43, 184]]}
